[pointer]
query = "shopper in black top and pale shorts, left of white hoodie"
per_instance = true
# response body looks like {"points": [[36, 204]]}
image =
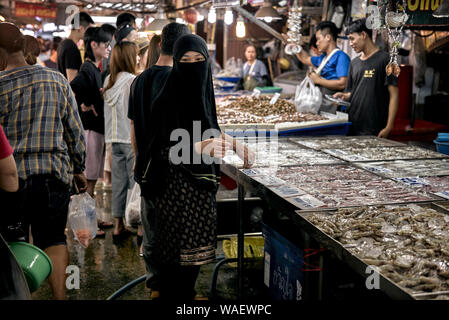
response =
{"points": [[87, 87]]}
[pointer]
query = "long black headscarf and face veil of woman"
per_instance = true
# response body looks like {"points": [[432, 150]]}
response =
{"points": [[188, 96]]}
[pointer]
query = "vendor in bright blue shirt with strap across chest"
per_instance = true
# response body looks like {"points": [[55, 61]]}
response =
{"points": [[334, 73]]}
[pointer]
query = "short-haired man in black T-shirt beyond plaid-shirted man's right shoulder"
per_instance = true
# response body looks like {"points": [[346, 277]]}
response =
{"points": [[69, 56]]}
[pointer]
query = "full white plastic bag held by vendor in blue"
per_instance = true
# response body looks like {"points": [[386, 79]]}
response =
{"points": [[308, 97]]}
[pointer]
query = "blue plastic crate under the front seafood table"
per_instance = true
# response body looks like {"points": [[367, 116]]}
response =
{"points": [[283, 263]]}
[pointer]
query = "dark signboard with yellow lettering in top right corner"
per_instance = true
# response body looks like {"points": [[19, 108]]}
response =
{"points": [[420, 13]]}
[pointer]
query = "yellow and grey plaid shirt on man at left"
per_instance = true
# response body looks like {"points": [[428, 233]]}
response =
{"points": [[39, 115]]}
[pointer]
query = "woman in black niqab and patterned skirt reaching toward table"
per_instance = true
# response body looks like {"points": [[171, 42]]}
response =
{"points": [[183, 194]]}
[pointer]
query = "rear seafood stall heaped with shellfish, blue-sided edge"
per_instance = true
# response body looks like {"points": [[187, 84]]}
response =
{"points": [[240, 113]]}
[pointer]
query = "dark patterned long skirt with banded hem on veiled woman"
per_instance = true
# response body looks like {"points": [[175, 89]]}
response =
{"points": [[186, 218]]}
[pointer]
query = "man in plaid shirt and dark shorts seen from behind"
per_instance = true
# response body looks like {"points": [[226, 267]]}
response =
{"points": [[49, 148]]}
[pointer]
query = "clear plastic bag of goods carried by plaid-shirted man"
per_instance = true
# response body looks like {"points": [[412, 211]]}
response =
{"points": [[82, 218]]}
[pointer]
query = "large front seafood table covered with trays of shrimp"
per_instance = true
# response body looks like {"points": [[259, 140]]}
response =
{"points": [[399, 229]]}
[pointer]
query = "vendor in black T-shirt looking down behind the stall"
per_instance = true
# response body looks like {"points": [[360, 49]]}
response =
{"points": [[373, 94]]}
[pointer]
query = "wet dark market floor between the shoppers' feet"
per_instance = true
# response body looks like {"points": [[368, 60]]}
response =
{"points": [[104, 267]]}
